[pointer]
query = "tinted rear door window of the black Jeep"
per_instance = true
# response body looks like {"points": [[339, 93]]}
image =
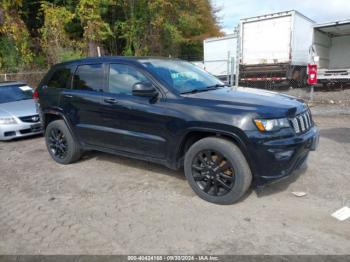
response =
{"points": [[89, 77]]}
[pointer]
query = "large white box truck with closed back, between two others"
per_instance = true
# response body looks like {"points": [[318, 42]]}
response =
{"points": [[274, 49]]}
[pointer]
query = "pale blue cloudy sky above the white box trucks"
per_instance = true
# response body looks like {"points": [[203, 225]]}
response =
{"points": [[318, 10]]}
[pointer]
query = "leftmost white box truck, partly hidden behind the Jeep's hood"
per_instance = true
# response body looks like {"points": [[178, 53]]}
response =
{"points": [[220, 55]]}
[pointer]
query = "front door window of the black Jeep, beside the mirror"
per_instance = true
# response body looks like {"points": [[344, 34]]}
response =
{"points": [[123, 77]]}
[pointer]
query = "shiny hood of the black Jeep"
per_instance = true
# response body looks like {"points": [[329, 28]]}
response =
{"points": [[265, 103]]}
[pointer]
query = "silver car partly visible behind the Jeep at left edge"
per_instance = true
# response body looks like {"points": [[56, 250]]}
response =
{"points": [[18, 113]]}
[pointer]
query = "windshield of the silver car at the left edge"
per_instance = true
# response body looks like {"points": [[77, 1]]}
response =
{"points": [[15, 93]]}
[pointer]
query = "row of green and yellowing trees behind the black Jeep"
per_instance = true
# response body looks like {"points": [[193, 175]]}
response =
{"points": [[64, 29]]}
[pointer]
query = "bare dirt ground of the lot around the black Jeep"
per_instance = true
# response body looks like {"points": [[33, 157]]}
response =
{"points": [[111, 205]]}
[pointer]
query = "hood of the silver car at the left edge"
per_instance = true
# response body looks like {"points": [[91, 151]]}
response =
{"points": [[18, 108]]}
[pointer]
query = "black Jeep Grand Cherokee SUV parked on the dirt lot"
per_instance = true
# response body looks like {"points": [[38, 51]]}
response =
{"points": [[171, 112]]}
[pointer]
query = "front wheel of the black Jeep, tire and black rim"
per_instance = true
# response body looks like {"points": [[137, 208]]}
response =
{"points": [[239, 173]]}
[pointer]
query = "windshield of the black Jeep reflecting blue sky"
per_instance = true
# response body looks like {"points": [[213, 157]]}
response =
{"points": [[182, 76]]}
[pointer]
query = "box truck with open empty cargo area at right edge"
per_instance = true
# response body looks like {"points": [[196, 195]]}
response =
{"points": [[331, 52]]}
